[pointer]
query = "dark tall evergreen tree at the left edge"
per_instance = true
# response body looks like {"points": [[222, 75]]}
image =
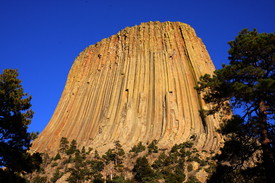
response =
{"points": [[15, 116]]}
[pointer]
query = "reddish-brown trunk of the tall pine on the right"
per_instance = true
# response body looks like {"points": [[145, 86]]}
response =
{"points": [[267, 153]]}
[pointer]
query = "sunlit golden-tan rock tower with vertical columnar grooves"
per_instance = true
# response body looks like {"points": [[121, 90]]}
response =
{"points": [[137, 85]]}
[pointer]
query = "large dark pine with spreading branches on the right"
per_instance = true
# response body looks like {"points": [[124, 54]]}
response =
{"points": [[248, 82]]}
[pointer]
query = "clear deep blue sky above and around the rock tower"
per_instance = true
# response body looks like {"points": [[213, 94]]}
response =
{"points": [[43, 37]]}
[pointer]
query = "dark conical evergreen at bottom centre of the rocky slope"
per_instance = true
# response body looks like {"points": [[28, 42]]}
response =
{"points": [[143, 169]]}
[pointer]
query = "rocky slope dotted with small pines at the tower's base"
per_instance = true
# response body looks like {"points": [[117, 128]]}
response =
{"points": [[143, 163]]}
